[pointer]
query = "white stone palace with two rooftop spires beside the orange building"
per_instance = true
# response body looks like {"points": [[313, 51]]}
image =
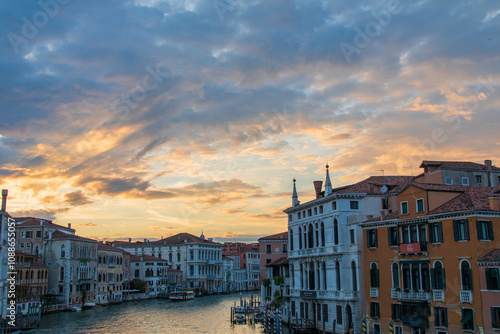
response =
{"points": [[325, 251]]}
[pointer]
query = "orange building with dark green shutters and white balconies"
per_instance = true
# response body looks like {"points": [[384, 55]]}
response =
{"points": [[421, 262]]}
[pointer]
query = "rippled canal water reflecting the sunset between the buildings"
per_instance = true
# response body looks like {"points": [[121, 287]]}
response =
{"points": [[209, 314]]}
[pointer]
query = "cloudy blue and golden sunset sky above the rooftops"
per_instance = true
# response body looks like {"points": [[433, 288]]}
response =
{"points": [[148, 118]]}
